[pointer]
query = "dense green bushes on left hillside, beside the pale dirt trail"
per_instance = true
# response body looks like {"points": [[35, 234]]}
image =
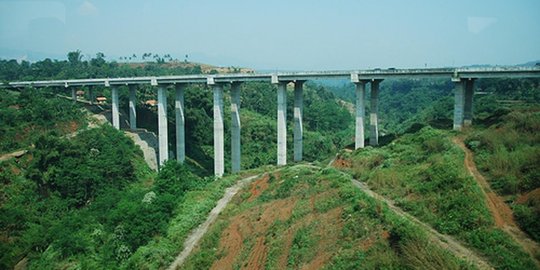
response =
{"points": [[98, 208]]}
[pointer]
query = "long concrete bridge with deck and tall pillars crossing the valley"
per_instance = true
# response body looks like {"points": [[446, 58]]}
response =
{"points": [[463, 107]]}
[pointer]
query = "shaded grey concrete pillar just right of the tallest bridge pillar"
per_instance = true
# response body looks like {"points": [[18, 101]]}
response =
{"points": [[235, 127]]}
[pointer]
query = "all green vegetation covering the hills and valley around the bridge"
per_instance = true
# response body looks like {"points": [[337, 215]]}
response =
{"points": [[83, 197]]}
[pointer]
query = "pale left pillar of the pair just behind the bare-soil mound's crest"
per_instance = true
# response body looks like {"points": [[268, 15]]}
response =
{"points": [[282, 123]]}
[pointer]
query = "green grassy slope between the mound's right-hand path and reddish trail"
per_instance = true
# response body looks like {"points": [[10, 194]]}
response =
{"points": [[424, 173]]}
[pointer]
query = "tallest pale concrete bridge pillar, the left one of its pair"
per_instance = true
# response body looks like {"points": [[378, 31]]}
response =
{"points": [[219, 159]]}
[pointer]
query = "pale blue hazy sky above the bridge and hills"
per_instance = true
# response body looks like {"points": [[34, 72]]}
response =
{"points": [[278, 34]]}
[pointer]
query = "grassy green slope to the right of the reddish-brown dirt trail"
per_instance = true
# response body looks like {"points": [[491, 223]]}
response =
{"points": [[508, 153]]}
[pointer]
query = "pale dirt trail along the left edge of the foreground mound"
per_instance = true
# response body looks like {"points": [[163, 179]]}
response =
{"points": [[196, 235]]}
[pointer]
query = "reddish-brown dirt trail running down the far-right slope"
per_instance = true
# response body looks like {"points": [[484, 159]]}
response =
{"points": [[501, 212]]}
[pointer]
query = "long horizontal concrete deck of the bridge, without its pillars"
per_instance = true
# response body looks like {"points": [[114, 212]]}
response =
{"points": [[373, 74]]}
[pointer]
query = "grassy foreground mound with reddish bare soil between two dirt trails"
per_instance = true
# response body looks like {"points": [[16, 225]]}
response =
{"points": [[302, 217]]}
